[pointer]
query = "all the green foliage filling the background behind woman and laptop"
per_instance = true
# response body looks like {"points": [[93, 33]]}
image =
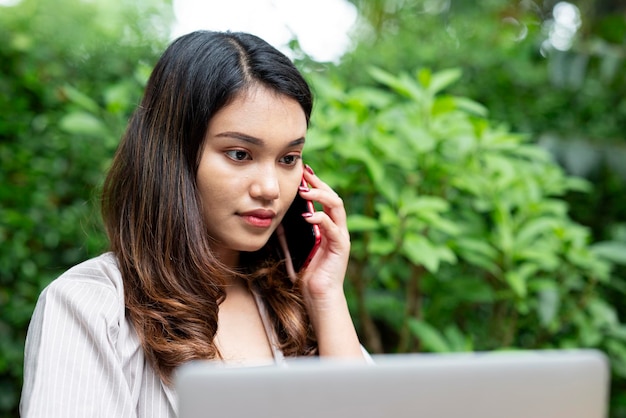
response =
{"points": [[483, 170]]}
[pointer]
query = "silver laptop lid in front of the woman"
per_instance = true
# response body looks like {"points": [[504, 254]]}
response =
{"points": [[520, 384]]}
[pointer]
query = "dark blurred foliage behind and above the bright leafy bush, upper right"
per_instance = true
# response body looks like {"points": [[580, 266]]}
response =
{"points": [[571, 101]]}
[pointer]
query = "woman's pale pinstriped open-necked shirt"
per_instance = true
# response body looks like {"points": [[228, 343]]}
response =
{"points": [[83, 357]]}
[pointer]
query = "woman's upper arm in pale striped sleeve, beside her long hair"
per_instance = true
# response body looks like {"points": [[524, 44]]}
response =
{"points": [[71, 366]]}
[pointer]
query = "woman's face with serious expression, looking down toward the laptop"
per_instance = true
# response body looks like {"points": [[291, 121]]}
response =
{"points": [[250, 169]]}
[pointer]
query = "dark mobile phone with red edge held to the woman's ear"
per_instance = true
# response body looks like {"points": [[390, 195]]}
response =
{"points": [[303, 239]]}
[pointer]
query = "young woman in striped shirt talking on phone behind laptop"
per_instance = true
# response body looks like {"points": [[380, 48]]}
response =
{"points": [[209, 164]]}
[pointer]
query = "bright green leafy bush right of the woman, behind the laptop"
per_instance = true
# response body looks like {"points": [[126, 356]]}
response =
{"points": [[461, 240]]}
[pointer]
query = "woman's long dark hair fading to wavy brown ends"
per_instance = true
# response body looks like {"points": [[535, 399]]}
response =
{"points": [[173, 283]]}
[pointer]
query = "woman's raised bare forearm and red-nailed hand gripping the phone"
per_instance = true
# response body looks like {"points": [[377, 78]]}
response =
{"points": [[323, 279]]}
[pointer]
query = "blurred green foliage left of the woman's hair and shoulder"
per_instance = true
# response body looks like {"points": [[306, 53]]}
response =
{"points": [[70, 73]]}
